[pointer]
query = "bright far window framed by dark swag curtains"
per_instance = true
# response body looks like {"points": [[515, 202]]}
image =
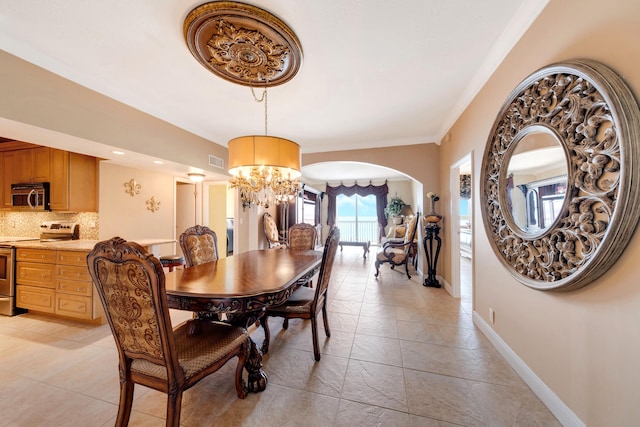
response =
{"points": [[357, 218]]}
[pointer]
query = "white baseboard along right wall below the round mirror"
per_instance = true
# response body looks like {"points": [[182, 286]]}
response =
{"points": [[557, 407]]}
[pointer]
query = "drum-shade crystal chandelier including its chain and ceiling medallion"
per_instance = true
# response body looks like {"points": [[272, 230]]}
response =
{"points": [[249, 46]]}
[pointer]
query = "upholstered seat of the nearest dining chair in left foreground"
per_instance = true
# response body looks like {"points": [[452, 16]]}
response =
{"points": [[196, 352]]}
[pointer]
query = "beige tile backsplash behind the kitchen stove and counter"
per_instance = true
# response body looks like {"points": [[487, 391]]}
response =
{"points": [[27, 224]]}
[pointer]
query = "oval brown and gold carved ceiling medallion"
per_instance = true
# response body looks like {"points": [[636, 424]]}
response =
{"points": [[242, 43]]}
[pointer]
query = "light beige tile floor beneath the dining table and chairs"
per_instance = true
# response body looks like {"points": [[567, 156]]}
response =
{"points": [[400, 354]]}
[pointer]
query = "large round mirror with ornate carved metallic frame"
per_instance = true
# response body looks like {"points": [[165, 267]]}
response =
{"points": [[559, 204]]}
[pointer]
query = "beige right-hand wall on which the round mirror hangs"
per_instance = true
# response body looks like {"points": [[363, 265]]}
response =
{"points": [[584, 345]]}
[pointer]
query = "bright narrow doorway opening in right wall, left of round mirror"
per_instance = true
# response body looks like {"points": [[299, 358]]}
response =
{"points": [[461, 175]]}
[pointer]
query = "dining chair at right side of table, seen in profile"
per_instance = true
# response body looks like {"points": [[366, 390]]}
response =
{"points": [[306, 303]]}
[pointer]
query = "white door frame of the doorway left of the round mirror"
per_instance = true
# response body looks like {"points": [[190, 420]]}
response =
{"points": [[454, 236]]}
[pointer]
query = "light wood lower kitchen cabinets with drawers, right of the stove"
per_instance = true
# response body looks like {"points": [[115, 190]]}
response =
{"points": [[59, 283]]}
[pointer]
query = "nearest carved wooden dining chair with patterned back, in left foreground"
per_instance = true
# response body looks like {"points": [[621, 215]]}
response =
{"points": [[131, 285]]}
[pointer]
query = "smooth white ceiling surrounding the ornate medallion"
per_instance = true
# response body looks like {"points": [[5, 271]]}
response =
{"points": [[375, 73]]}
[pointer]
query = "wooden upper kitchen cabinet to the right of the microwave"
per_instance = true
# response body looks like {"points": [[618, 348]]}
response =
{"points": [[74, 182]]}
